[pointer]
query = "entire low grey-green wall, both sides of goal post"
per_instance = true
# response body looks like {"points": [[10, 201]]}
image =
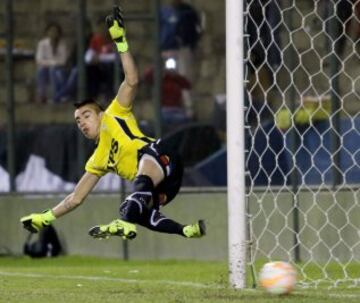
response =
{"points": [[271, 216]]}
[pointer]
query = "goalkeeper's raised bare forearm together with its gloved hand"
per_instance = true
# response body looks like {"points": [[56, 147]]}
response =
{"points": [[128, 87]]}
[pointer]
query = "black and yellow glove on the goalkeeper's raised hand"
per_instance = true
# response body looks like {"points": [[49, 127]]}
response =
{"points": [[115, 24]]}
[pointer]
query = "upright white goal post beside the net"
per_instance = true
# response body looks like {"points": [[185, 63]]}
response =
{"points": [[235, 143]]}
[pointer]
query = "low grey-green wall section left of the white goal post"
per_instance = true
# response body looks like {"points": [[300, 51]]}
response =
{"points": [[99, 209]]}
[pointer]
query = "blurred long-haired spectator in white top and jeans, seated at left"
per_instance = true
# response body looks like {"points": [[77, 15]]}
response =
{"points": [[51, 55]]}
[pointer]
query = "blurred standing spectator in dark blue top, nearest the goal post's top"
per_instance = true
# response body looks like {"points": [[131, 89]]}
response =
{"points": [[180, 30]]}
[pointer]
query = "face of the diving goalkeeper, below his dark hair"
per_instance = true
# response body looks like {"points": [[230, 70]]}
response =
{"points": [[88, 120]]}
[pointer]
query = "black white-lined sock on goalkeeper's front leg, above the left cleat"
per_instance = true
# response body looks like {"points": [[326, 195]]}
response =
{"points": [[136, 205]]}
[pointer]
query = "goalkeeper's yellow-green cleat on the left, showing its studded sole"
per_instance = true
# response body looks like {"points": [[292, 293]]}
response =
{"points": [[117, 227]]}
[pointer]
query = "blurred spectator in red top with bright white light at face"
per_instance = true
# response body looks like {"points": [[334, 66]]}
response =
{"points": [[176, 105]]}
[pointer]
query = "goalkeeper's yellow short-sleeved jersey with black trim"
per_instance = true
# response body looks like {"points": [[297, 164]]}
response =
{"points": [[119, 142]]}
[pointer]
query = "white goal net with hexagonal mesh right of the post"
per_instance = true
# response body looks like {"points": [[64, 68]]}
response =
{"points": [[303, 138]]}
